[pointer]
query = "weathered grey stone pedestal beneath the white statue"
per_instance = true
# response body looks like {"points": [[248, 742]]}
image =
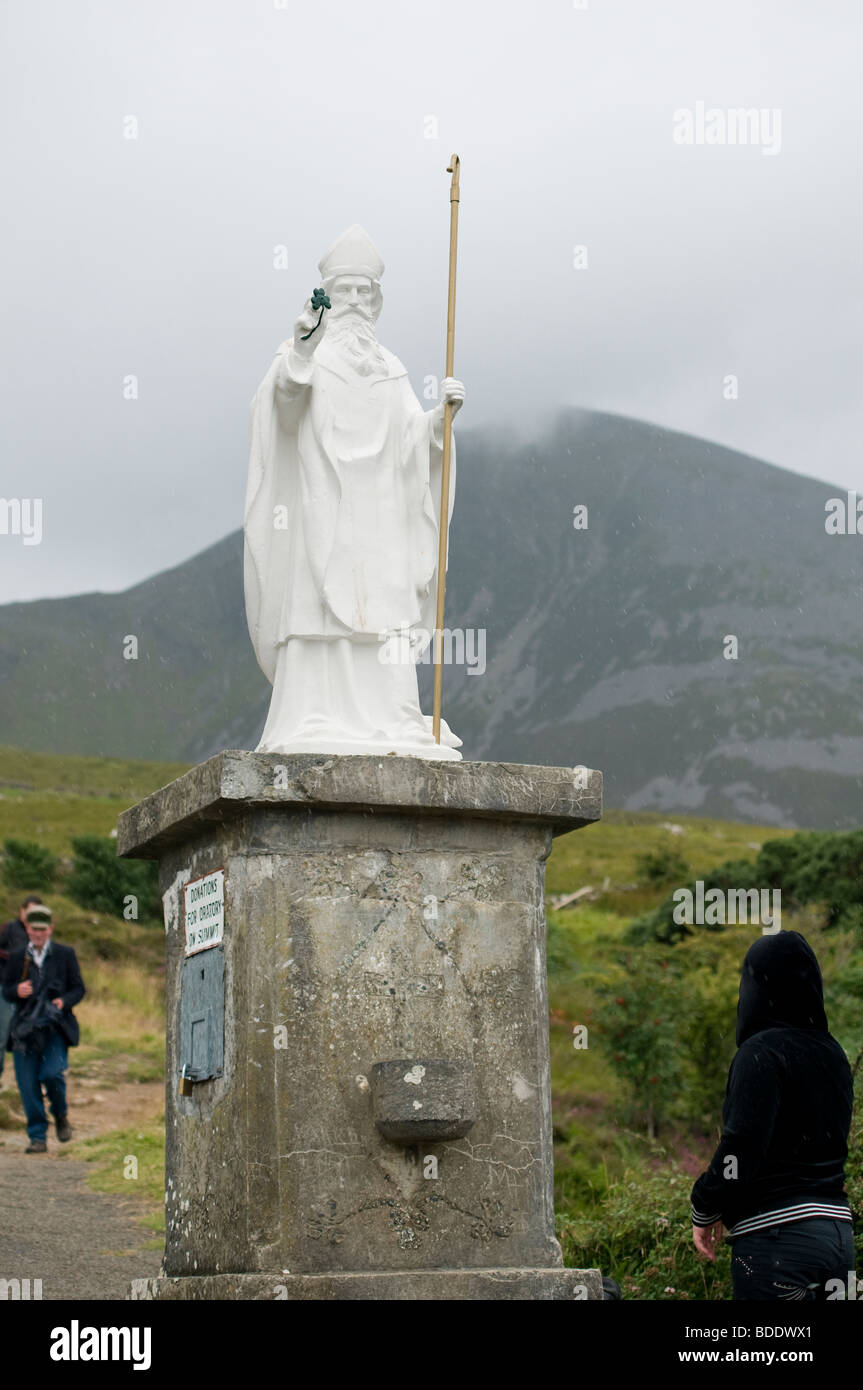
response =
{"points": [[381, 1125]]}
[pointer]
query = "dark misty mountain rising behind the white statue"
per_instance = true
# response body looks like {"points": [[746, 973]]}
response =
{"points": [[607, 646]]}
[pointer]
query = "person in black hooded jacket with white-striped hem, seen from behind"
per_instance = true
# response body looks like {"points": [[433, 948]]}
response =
{"points": [[778, 1179]]}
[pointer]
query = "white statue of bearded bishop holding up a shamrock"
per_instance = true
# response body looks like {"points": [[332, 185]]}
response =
{"points": [[343, 516]]}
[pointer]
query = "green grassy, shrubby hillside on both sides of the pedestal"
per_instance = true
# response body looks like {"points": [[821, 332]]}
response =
{"points": [[623, 1175]]}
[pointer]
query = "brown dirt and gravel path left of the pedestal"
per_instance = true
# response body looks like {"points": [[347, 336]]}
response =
{"points": [[81, 1245]]}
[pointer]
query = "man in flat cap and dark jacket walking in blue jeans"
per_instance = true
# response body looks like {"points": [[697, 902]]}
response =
{"points": [[45, 983]]}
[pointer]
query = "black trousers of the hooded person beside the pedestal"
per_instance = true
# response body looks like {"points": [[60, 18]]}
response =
{"points": [[796, 1261]]}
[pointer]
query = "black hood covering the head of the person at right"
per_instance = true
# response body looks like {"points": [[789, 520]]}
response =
{"points": [[780, 986]]}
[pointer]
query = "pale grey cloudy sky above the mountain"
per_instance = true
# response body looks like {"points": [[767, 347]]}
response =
{"points": [[269, 124]]}
